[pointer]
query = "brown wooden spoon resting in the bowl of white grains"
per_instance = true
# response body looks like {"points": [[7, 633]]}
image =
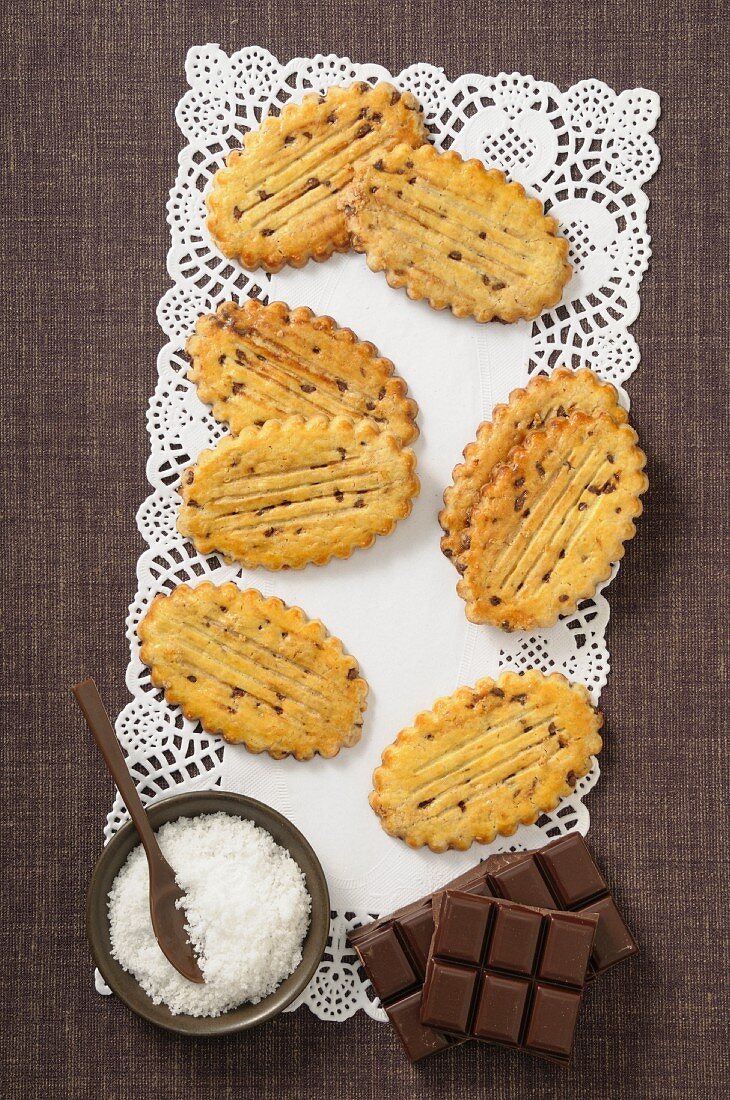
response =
{"points": [[168, 920]]}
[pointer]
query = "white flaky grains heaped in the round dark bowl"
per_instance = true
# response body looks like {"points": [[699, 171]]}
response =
{"points": [[248, 914]]}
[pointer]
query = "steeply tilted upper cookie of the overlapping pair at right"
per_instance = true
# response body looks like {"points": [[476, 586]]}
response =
{"points": [[551, 522]]}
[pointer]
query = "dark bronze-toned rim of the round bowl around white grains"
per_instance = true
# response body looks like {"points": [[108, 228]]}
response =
{"points": [[191, 806]]}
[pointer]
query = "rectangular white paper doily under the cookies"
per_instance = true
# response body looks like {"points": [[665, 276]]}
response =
{"points": [[587, 153]]}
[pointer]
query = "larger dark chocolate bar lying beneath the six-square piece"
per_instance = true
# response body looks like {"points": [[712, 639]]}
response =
{"points": [[394, 950]]}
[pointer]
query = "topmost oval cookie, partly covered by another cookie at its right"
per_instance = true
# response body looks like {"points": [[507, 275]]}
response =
{"points": [[276, 201]]}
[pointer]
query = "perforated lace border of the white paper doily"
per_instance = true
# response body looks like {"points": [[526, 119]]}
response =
{"points": [[587, 153]]}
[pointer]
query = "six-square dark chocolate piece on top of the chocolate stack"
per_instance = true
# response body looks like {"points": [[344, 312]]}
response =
{"points": [[507, 974]]}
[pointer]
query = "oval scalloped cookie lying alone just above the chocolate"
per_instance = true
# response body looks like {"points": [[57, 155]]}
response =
{"points": [[485, 761]]}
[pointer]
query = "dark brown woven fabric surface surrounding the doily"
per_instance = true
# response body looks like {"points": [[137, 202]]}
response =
{"points": [[90, 151]]}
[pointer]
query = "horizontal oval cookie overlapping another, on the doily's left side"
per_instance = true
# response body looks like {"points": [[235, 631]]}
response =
{"points": [[297, 491]]}
